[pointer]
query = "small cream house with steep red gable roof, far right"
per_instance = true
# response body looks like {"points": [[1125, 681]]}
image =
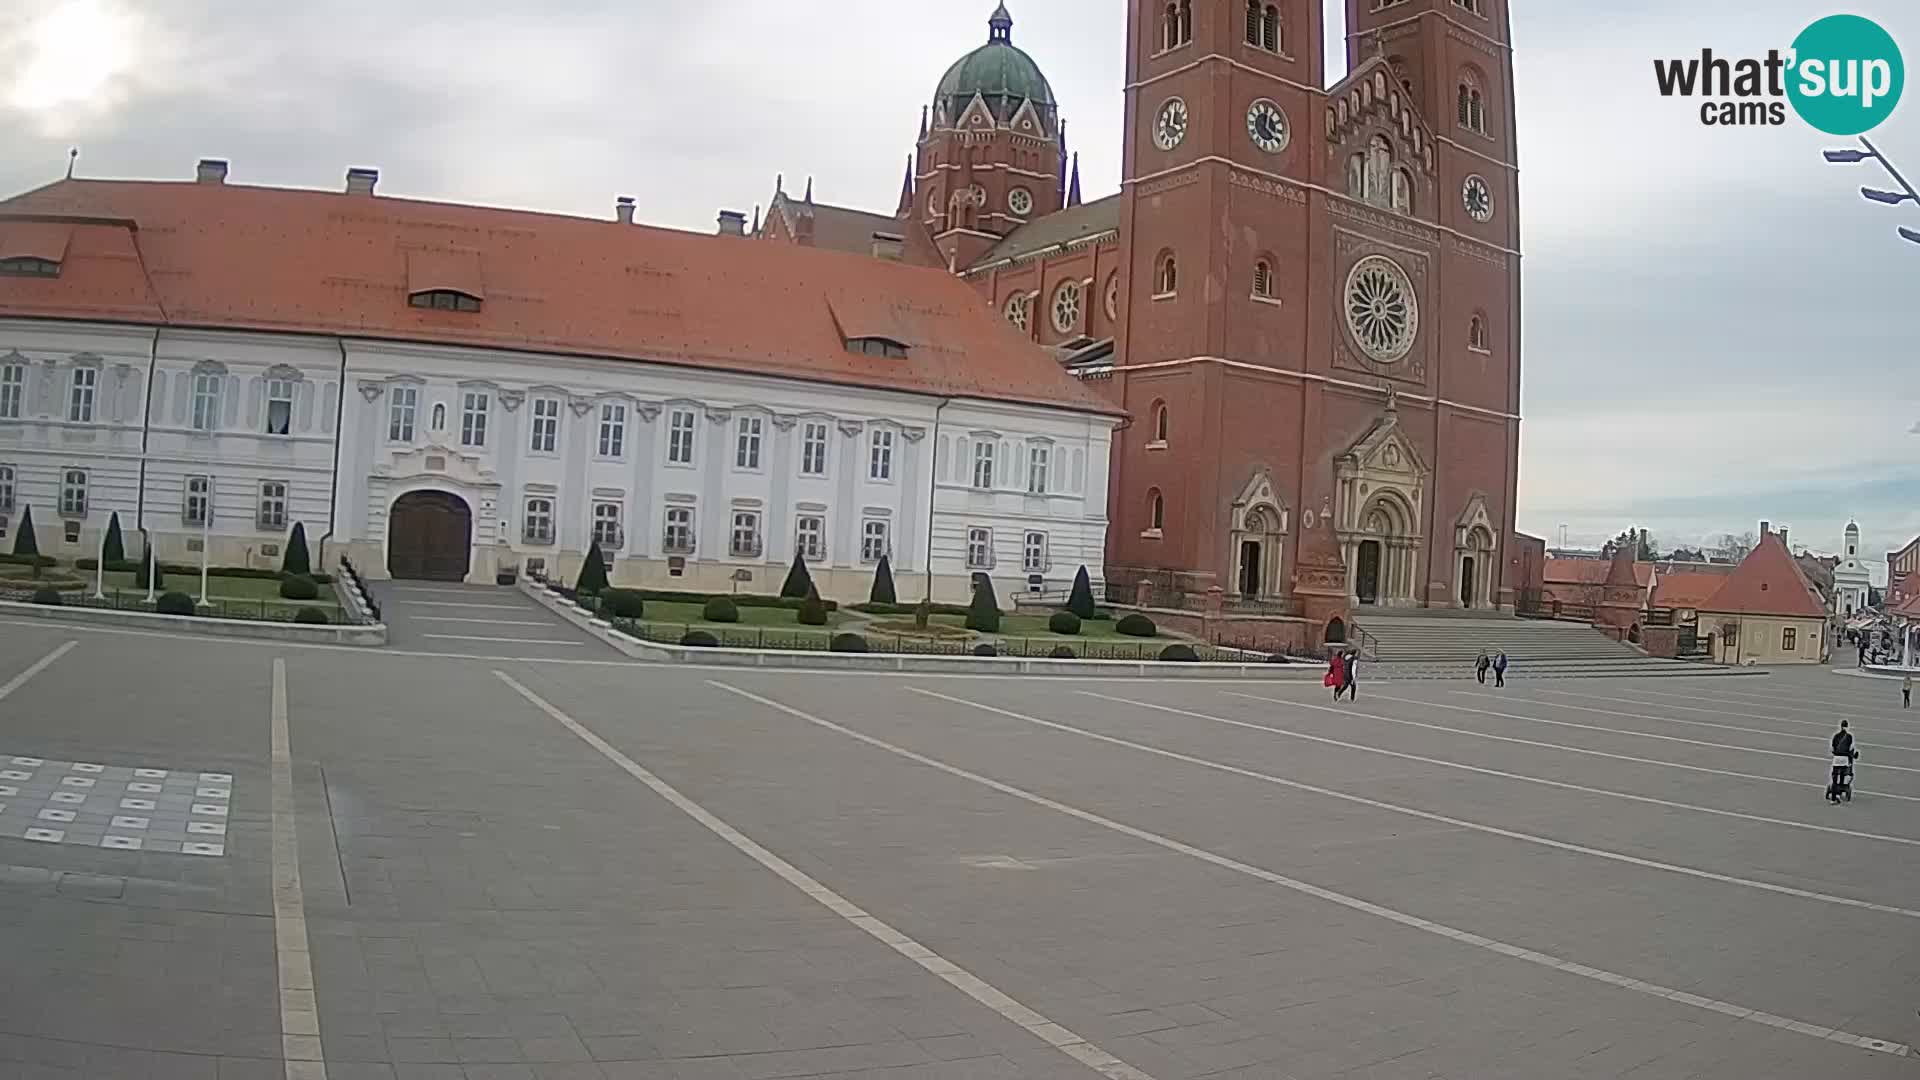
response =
{"points": [[1765, 612]]}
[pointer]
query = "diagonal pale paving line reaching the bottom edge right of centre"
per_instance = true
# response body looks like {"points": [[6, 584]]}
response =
{"points": [[957, 977]]}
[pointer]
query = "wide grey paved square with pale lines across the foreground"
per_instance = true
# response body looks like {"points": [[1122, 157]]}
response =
{"points": [[608, 871]]}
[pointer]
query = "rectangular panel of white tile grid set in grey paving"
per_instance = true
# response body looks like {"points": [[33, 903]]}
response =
{"points": [[124, 808]]}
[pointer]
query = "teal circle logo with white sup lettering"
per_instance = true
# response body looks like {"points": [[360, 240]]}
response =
{"points": [[1848, 76]]}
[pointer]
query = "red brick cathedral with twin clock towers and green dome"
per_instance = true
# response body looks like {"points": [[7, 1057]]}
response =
{"points": [[1307, 297]]}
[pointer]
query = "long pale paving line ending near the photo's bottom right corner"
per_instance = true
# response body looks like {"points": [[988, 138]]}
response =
{"points": [[1489, 945]]}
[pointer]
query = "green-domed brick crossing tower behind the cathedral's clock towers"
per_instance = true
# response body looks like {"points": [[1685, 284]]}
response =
{"points": [[992, 149]]}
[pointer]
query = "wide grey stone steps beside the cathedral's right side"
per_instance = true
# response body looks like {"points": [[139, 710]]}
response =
{"points": [[1443, 645]]}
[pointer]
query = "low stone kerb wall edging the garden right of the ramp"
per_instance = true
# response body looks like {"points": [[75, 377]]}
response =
{"points": [[907, 662]]}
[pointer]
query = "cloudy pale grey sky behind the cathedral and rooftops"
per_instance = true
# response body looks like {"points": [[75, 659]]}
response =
{"points": [[1717, 328]]}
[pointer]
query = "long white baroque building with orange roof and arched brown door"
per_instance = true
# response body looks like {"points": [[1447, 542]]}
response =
{"points": [[446, 391]]}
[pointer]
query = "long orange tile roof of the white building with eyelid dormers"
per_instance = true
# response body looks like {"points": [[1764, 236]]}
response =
{"points": [[233, 257]]}
